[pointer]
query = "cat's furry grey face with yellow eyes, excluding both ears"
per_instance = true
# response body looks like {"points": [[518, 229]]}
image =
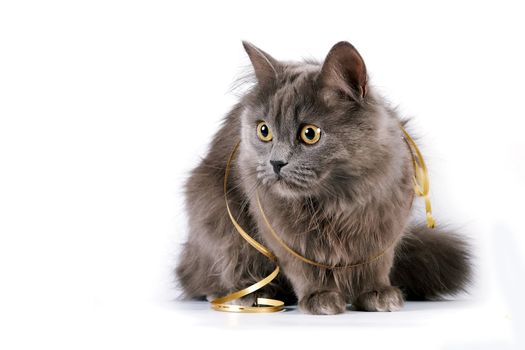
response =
{"points": [[297, 143]]}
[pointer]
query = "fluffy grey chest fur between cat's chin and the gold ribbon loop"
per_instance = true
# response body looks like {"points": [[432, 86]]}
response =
{"points": [[333, 236]]}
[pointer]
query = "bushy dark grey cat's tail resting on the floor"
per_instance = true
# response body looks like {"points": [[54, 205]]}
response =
{"points": [[431, 264]]}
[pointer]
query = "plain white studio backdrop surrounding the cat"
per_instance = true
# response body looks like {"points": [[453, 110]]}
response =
{"points": [[105, 106]]}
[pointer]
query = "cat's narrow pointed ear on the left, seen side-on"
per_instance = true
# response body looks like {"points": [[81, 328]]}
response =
{"points": [[265, 66]]}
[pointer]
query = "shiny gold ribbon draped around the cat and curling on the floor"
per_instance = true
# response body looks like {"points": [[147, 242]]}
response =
{"points": [[421, 188]]}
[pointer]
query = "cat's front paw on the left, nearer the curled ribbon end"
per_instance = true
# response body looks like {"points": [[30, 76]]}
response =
{"points": [[323, 303]]}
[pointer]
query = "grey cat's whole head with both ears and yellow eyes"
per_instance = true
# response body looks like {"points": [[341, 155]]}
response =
{"points": [[310, 128]]}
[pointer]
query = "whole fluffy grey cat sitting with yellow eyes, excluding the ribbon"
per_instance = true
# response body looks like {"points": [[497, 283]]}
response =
{"points": [[327, 157]]}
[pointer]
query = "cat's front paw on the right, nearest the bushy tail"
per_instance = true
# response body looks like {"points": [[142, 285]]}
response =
{"points": [[384, 299]]}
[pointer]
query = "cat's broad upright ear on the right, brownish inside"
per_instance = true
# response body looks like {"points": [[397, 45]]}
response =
{"points": [[344, 70]]}
